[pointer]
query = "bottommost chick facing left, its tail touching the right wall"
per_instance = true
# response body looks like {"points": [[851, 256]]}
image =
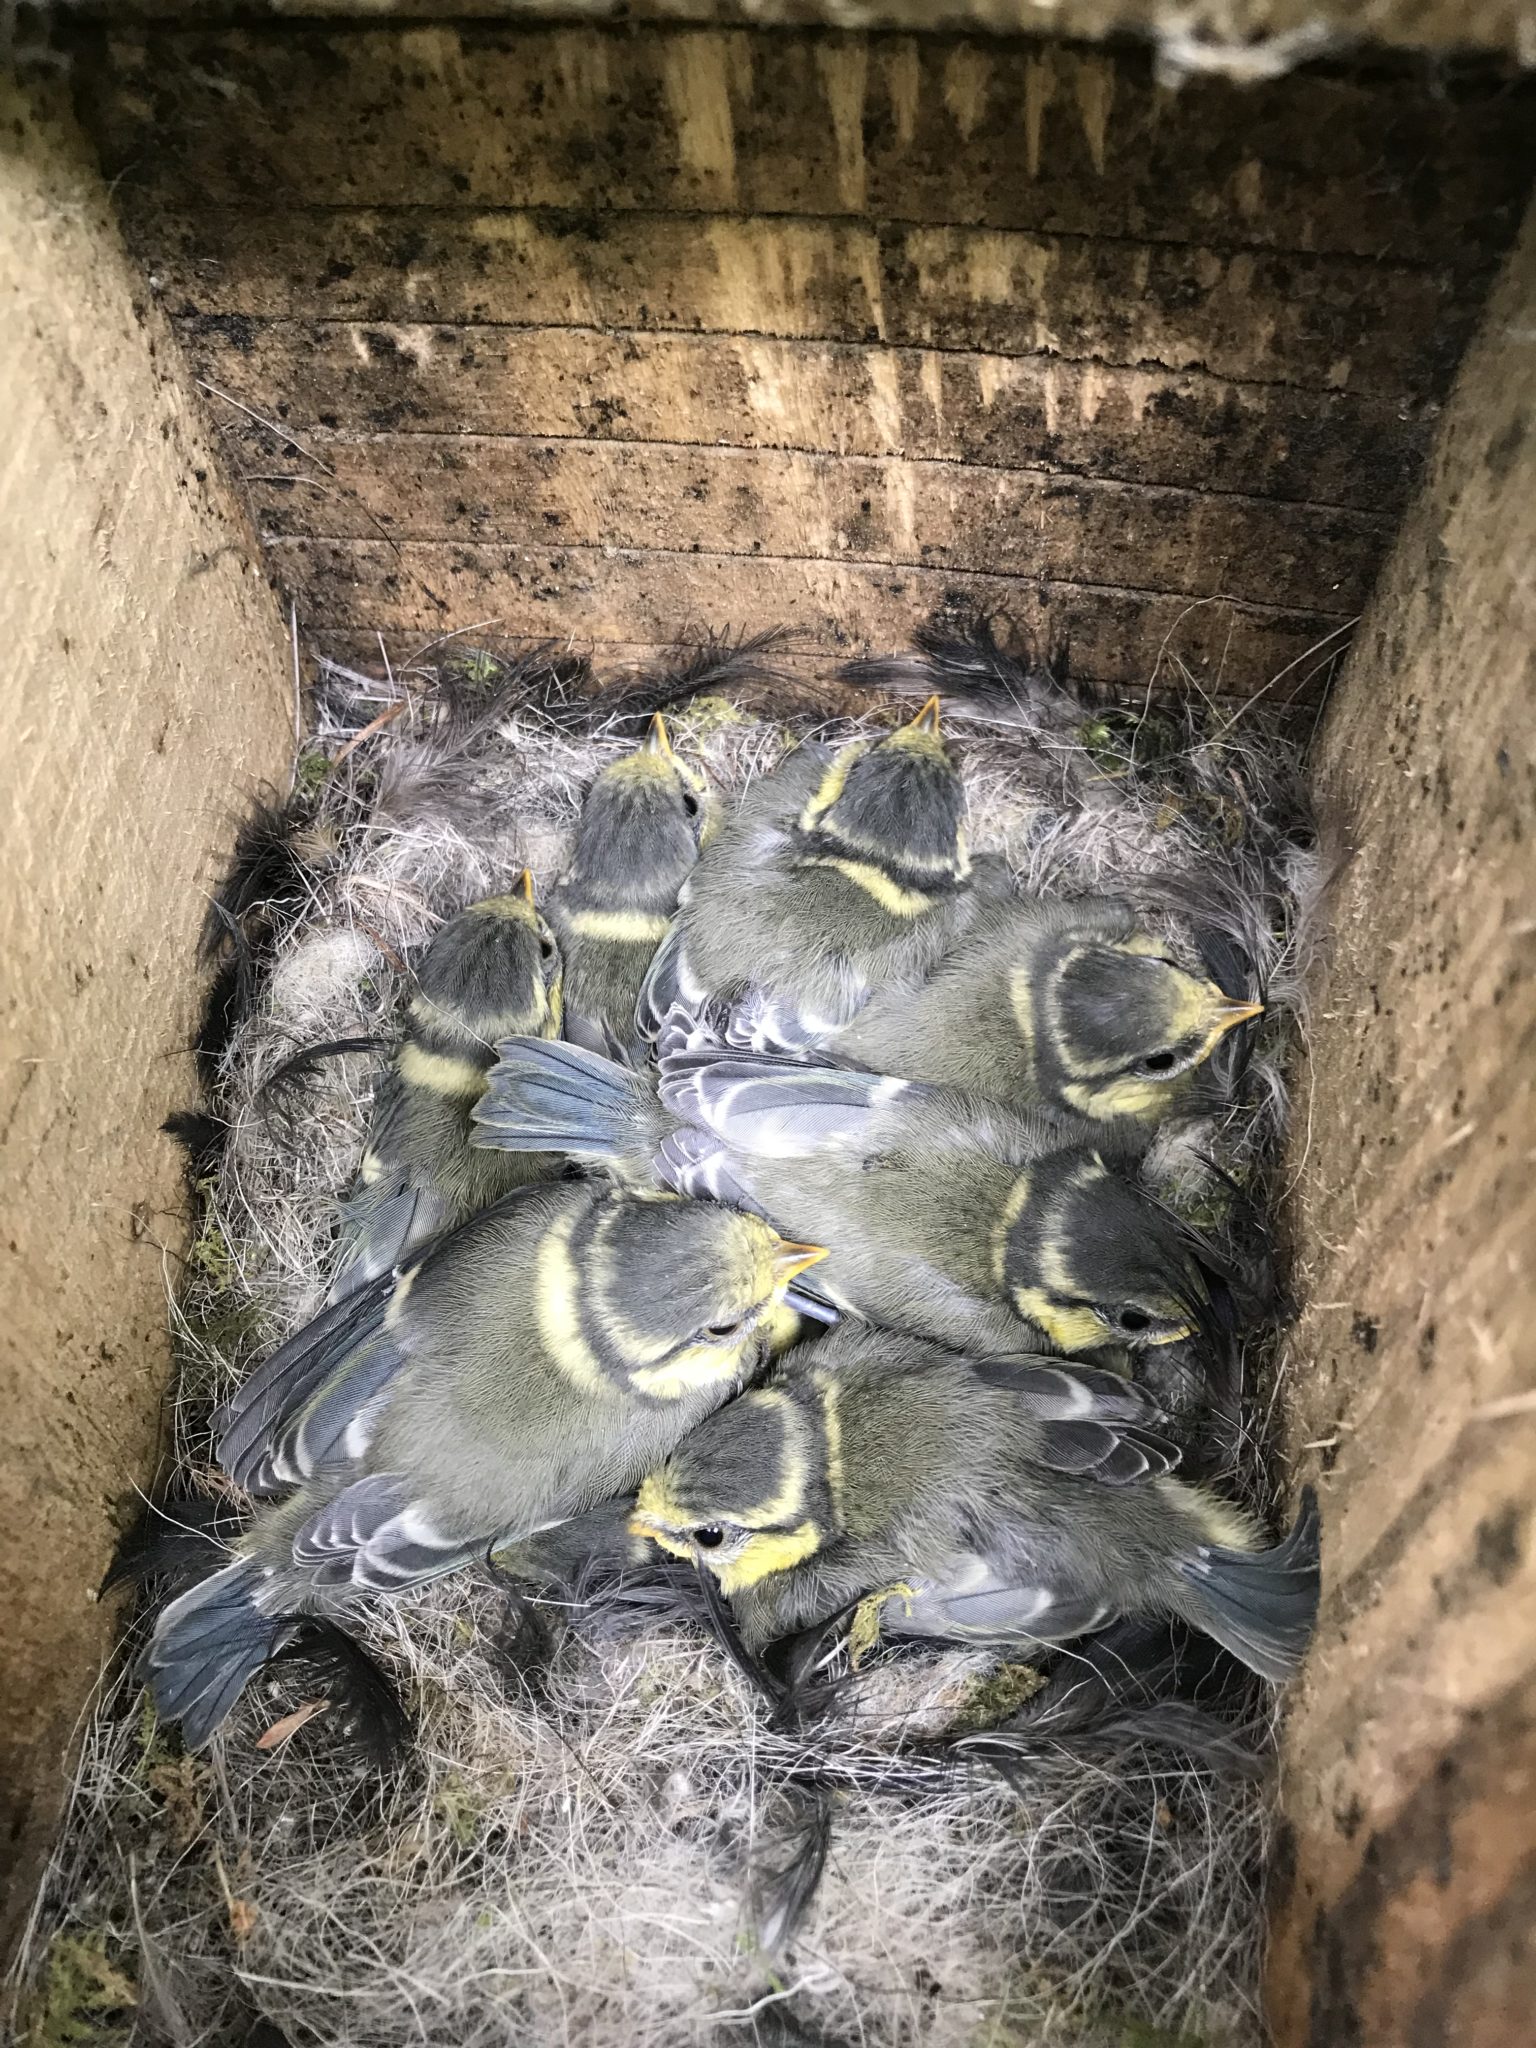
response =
{"points": [[998, 1502]]}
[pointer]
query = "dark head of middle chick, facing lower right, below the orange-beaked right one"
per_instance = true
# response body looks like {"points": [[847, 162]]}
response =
{"points": [[1091, 1258]]}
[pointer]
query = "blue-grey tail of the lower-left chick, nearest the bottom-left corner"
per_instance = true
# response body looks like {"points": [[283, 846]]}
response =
{"points": [[208, 1646]]}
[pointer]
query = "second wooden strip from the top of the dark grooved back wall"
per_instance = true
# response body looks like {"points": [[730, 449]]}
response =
{"points": [[1318, 323]]}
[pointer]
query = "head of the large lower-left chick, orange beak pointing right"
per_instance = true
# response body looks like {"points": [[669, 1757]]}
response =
{"points": [[663, 1295]]}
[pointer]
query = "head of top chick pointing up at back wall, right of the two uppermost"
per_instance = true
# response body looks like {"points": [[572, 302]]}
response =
{"points": [[896, 804]]}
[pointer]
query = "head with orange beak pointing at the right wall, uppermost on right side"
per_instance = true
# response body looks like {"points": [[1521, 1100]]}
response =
{"points": [[1121, 1025]]}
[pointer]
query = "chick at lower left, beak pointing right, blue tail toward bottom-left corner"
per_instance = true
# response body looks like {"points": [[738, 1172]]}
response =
{"points": [[536, 1363]]}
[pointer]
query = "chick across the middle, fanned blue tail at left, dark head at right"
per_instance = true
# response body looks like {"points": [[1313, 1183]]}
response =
{"points": [[966, 1222]]}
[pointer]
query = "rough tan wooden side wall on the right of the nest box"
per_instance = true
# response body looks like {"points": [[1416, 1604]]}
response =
{"points": [[1406, 1908]]}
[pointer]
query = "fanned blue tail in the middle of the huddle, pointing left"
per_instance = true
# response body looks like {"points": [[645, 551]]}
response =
{"points": [[548, 1097]]}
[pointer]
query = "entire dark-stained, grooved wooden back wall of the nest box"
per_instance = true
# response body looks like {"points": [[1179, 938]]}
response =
{"points": [[617, 331]]}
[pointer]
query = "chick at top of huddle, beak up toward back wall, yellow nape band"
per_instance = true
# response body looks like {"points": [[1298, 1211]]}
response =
{"points": [[841, 873]]}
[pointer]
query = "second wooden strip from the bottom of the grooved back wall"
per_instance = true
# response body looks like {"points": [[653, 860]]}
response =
{"points": [[765, 503]]}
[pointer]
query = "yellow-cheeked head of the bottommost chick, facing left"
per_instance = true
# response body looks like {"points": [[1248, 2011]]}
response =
{"points": [[746, 1494]]}
